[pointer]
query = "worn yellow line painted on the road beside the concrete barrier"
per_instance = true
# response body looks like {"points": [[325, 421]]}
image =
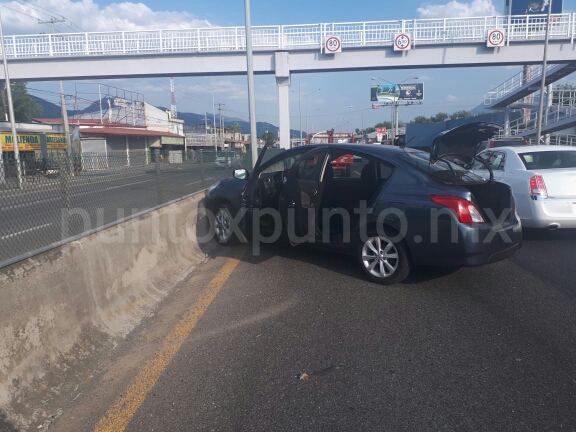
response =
{"points": [[120, 414]]}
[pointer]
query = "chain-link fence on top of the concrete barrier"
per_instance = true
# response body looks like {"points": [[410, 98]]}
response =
{"points": [[45, 200]]}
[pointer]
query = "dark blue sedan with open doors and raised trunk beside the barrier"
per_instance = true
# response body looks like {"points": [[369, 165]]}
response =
{"points": [[414, 184]]}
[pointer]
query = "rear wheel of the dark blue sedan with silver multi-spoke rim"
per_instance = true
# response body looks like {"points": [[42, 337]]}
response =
{"points": [[383, 260]]}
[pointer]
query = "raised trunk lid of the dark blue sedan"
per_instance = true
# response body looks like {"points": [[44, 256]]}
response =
{"points": [[460, 144]]}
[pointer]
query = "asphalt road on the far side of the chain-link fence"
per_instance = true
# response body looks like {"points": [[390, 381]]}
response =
{"points": [[33, 217]]}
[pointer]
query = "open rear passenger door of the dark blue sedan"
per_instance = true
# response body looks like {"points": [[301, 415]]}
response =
{"points": [[300, 199]]}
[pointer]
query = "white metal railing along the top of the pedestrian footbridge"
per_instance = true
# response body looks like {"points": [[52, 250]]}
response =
{"points": [[518, 28]]}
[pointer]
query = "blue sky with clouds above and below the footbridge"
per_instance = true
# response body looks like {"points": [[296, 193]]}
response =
{"points": [[446, 90]]}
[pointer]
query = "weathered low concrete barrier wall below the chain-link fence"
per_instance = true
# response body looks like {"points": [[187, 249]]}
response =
{"points": [[56, 308]]}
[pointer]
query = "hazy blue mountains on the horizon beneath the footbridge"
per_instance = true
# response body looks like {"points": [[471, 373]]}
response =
{"points": [[51, 110]]}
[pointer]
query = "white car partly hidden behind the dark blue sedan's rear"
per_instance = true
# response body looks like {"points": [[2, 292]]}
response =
{"points": [[543, 182]]}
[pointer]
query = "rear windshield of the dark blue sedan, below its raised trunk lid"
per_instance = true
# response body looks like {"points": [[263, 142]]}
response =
{"points": [[441, 169]]}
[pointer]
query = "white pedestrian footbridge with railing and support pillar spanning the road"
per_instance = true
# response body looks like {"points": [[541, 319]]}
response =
{"points": [[285, 49]]}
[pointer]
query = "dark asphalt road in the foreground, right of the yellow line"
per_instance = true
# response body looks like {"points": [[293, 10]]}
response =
{"points": [[478, 349]]}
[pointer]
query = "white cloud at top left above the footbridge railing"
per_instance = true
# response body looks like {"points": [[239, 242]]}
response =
{"points": [[21, 18]]}
